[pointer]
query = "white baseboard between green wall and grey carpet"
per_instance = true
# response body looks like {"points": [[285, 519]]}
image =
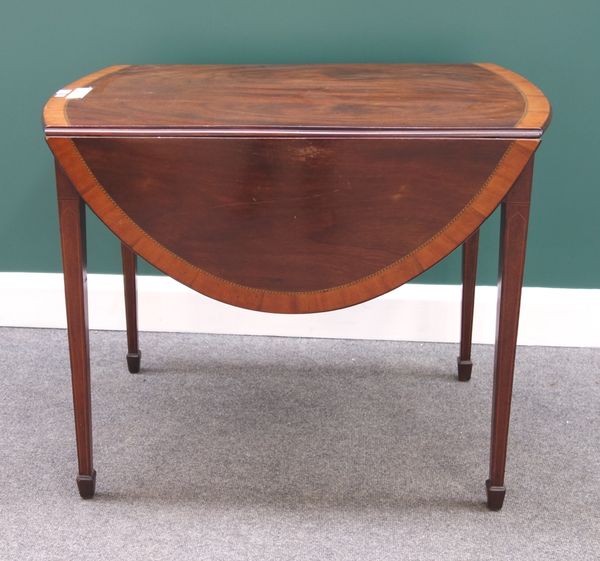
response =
{"points": [[549, 316]]}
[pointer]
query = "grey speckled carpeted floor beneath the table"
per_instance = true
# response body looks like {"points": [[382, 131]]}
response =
{"points": [[258, 448]]}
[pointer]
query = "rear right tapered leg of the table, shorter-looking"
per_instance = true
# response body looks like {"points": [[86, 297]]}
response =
{"points": [[469, 276]]}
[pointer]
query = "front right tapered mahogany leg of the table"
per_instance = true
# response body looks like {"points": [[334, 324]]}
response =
{"points": [[514, 222]]}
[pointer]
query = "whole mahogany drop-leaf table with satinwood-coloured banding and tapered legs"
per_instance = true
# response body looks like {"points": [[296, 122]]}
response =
{"points": [[296, 189]]}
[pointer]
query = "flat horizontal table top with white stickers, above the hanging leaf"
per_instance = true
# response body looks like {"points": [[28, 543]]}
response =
{"points": [[401, 99]]}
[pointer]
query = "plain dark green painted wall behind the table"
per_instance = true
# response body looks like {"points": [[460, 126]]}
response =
{"points": [[44, 45]]}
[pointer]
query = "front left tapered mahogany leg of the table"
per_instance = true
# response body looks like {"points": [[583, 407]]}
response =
{"points": [[71, 211]]}
